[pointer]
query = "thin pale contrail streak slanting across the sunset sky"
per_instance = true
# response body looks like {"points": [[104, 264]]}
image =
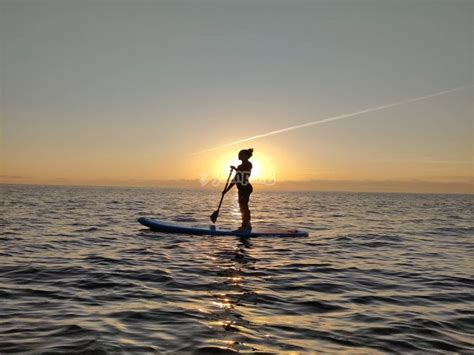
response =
{"points": [[334, 118]]}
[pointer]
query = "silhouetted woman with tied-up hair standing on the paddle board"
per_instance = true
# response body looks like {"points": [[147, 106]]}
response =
{"points": [[241, 179]]}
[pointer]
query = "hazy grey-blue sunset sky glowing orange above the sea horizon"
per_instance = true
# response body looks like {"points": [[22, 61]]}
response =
{"points": [[142, 92]]}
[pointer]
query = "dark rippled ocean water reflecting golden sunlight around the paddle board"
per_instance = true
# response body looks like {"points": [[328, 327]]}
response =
{"points": [[378, 273]]}
